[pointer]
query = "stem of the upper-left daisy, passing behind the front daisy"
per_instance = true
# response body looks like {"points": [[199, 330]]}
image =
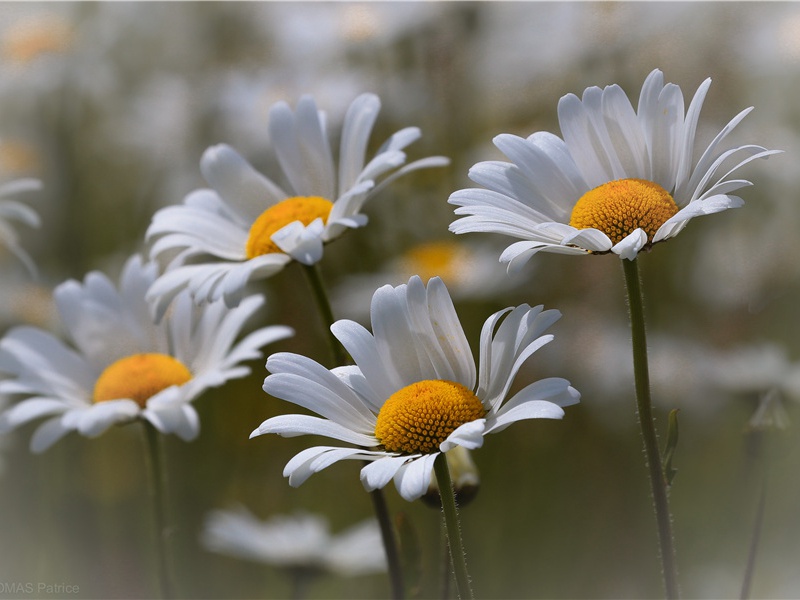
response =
{"points": [[340, 357]]}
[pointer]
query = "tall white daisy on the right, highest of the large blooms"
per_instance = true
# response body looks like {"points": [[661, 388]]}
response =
{"points": [[619, 181]]}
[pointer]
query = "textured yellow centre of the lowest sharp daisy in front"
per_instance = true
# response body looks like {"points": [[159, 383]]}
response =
{"points": [[419, 417]]}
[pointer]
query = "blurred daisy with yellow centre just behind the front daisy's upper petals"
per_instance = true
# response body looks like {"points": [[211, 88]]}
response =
{"points": [[469, 270]]}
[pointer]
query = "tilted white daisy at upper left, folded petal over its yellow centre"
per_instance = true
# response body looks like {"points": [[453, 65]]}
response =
{"points": [[247, 227]]}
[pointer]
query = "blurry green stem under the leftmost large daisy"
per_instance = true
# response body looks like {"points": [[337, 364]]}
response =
{"points": [[157, 476]]}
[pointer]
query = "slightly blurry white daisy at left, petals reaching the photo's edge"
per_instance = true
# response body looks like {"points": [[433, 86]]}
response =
{"points": [[121, 366]]}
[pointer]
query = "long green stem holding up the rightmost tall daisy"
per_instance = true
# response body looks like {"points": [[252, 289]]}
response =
{"points": [[644, 408]]}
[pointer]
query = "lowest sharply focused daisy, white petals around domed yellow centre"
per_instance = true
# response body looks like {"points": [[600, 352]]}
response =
{"points": [[414, 391]]}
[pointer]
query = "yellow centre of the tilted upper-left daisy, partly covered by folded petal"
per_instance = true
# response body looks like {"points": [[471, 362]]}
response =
{"points": [[298, 208]]}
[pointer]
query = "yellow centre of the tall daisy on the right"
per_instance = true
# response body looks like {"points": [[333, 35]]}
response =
{"points": [[618, 208]]}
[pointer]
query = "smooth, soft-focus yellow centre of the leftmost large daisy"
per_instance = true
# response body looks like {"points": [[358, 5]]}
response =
{"points": [[139, 377]]}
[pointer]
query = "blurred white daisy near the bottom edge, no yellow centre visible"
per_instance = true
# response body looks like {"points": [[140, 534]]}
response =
{"points": [[296, 542]]}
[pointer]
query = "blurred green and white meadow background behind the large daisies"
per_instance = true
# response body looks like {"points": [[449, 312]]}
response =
{"points": [[112, 104]]}
